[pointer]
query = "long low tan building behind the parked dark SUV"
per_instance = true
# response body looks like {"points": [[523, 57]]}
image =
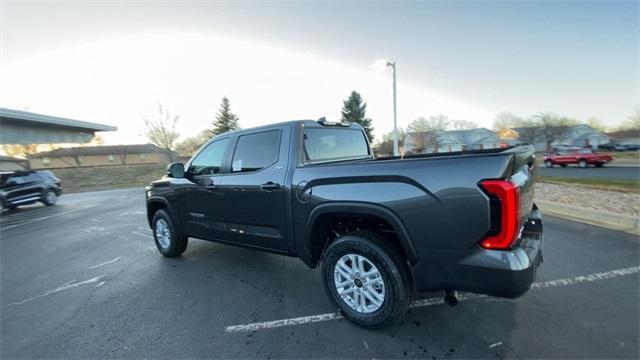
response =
{"points": [[100, 156]]}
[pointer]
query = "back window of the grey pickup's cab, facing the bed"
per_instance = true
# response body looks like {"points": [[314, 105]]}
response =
{"points": [[334, 144]]}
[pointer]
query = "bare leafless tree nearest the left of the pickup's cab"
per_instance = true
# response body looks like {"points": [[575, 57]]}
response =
{"points": [[161, 130]]}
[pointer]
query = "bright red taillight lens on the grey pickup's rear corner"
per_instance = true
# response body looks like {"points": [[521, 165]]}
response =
{"points": [[508, 196]]}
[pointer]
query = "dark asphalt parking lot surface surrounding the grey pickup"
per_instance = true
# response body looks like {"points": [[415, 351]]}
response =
{"points": [[83, 280]]}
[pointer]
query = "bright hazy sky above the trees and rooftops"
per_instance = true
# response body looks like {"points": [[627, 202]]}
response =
{"points": [[112, 62]]}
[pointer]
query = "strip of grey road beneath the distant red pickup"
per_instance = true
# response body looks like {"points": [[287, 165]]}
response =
{"points": [[606, 172]]}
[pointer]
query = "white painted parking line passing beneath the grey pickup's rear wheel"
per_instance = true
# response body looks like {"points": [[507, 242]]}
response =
{"points": [[430, 301]]}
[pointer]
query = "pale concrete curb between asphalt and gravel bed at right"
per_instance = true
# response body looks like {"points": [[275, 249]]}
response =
{"points": [[605, 219]]}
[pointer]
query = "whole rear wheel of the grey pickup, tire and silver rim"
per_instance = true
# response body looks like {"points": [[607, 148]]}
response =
{"points": [[365, 277]]}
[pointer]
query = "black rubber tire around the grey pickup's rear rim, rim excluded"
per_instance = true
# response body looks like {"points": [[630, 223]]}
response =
{"points": [[394, 273]]}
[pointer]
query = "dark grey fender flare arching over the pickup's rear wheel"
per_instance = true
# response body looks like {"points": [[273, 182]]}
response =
{"points": [[364, 209]]}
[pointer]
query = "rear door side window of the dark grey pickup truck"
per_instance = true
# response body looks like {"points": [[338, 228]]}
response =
{"points": [[256, 151]]}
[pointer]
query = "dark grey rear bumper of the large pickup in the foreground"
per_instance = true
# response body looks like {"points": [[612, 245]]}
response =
{"points": [[492, 272]]}
